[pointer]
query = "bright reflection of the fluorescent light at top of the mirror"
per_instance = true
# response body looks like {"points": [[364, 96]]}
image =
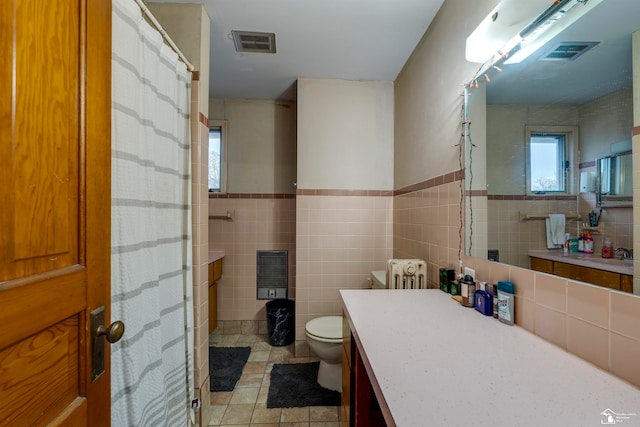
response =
{"points": [[542, 30]]}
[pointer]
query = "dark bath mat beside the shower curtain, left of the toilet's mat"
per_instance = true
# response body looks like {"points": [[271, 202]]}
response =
{"points": [[225, 366]]}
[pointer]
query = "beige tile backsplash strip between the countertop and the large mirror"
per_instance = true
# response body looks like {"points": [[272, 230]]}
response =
{"points": [[597, 324]]}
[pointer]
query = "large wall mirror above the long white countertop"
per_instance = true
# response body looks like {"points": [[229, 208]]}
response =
{"points": [[579, 84]]}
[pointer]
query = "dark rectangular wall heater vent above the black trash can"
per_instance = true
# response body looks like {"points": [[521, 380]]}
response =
{"points": [[272, 271]]}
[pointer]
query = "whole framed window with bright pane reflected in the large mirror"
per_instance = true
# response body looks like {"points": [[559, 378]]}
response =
{"points": [[550, 152]]}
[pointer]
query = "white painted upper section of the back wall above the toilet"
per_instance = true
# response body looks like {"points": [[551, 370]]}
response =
{"points": [[345, 134]]}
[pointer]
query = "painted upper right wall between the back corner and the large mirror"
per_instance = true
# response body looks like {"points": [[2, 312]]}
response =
{"points": [[427, 94]]}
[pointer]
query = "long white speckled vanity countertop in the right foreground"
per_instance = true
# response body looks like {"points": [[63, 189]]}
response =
{"points": [[433, 362]]}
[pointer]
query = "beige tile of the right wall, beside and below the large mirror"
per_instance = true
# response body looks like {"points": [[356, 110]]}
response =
{"points": [[599, 325]]}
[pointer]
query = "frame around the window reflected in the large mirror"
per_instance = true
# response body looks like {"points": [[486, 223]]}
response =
{"points": [[571, 155]]}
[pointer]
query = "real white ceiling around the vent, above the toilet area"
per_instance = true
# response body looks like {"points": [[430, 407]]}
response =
{"points": [[341, 39]]}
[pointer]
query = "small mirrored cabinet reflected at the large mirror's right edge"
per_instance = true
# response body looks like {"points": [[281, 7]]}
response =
{"points": [[614, 182]]}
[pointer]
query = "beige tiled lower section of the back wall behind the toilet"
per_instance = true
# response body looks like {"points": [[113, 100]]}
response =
{"points": [[340, 239]]}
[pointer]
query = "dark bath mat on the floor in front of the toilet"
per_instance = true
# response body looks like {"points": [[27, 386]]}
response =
{"points": [[296, 385]]}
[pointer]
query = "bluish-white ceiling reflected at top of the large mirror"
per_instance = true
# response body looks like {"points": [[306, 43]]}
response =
{"points": [[604, 69]]}
